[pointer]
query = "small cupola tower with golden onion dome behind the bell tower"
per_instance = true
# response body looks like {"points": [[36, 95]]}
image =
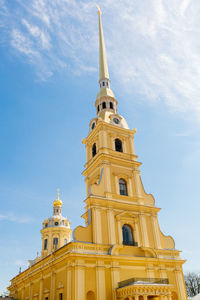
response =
{"points": [[56, 231]]}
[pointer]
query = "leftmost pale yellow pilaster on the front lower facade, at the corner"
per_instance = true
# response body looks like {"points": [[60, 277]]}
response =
{"points": [[79, 281]]}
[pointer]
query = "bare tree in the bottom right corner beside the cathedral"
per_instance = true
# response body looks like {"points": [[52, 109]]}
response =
{"points": [[192, 281]]}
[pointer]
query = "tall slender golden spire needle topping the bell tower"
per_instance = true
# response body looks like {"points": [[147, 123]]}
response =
{"points": [[103, 66]]}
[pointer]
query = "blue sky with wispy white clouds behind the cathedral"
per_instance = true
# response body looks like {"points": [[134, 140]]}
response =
{"points": [[49, 81]]}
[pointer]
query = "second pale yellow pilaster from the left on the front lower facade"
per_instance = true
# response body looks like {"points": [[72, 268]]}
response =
{"points": [[100, 282]]}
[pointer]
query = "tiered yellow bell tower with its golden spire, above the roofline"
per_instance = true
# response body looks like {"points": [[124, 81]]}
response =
{"points": [[118, 210]]}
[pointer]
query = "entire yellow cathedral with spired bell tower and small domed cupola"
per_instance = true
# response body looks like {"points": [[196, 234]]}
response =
{"points": [[121, 253]]}
